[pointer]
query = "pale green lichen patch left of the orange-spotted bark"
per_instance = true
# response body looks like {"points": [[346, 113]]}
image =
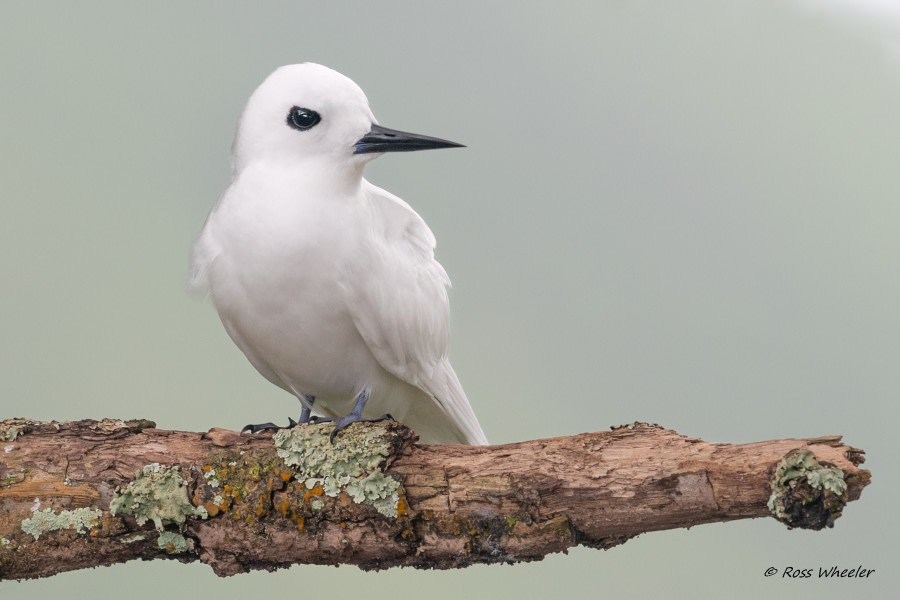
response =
{"points": [[157, 494]]}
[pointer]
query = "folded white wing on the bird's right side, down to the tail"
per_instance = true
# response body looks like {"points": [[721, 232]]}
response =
{"points": [[398, 299]]}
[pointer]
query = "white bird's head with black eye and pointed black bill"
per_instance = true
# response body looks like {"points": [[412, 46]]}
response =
{"points": [[309, 112]]}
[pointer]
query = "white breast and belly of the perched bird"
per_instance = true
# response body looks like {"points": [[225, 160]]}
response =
{"points": [[280, 253]]}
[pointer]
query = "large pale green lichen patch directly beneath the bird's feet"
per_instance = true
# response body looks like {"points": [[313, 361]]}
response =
{"points": [[352, 463]]}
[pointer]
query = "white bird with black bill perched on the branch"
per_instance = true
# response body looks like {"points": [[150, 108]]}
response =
{"points": [[327, 283]]}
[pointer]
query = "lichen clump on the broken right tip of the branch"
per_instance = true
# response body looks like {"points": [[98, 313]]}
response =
{"points": [[805, 493]]}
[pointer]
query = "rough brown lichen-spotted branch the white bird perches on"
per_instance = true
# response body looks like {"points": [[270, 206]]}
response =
{"points": [[234, 503]]}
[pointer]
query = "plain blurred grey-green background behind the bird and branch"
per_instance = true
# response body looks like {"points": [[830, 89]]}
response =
{"points": [[685, 213]]}
